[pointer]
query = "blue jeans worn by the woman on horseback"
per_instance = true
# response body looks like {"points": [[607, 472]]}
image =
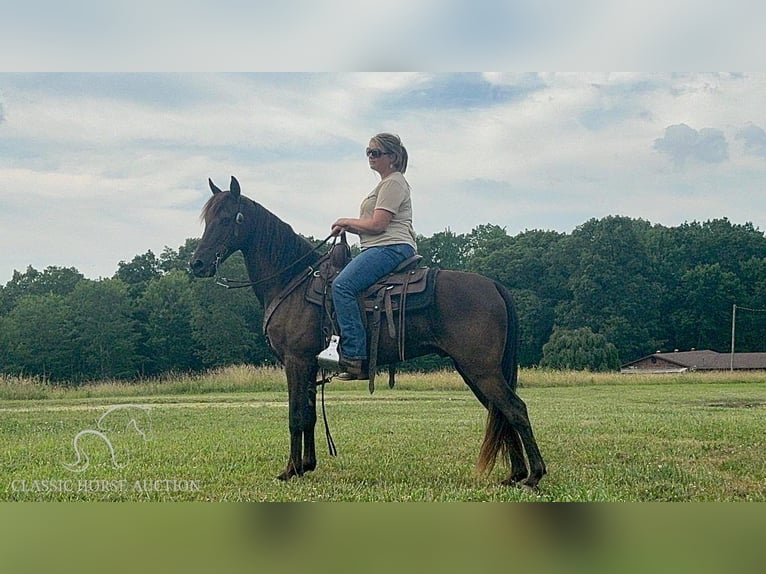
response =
{"points": [[361, 272]]}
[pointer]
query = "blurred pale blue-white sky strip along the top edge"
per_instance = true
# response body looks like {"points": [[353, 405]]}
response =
{"points": [[428, 34]]}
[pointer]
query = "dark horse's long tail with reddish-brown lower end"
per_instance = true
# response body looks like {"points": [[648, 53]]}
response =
{"points": [[499, 435]]}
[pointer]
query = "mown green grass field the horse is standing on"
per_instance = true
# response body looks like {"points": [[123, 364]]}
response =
{"points": [[223, 437]]}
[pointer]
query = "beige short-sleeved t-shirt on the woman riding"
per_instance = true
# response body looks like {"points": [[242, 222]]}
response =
{"points": [[391, 194]]}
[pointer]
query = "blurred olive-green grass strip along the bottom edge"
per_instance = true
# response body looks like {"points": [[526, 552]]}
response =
{"points": [[567, 538]]}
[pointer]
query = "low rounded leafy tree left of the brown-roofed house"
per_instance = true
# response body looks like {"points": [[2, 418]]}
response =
{"points": [[579, 350]]}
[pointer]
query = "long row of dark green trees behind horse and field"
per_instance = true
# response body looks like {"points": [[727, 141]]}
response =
{"points": [[611, 291]]}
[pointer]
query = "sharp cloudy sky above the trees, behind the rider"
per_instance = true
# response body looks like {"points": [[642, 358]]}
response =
{"points": [[96, 168]]}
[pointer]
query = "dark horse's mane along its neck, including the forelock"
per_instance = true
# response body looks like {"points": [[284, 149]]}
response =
{"points": [[274, 238]]}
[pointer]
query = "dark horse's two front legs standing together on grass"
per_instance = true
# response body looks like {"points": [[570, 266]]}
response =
{"points": [[302, 416]]}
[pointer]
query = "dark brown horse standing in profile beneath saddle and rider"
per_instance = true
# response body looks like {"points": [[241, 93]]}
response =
{"points": [[472, 320]]}
